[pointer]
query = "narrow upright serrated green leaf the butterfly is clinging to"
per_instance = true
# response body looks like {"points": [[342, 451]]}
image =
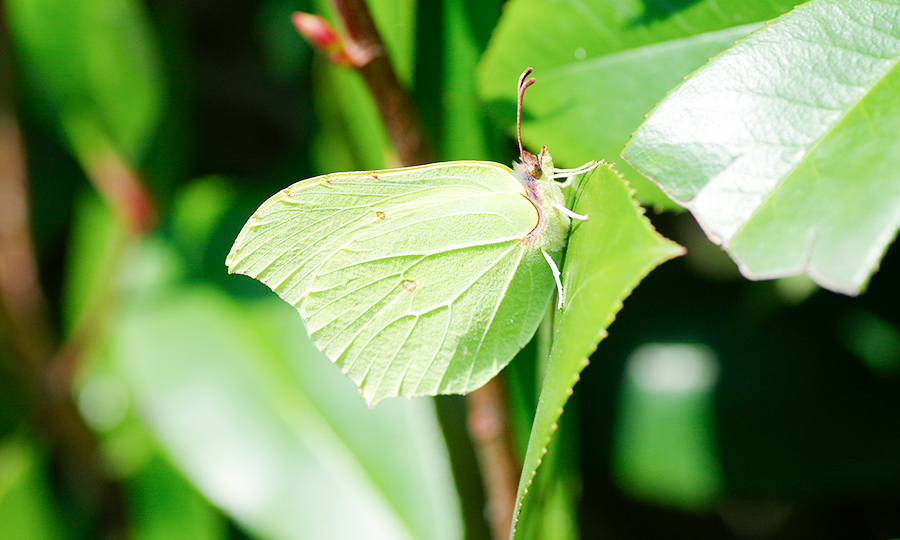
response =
{"points": [[607, 256]]}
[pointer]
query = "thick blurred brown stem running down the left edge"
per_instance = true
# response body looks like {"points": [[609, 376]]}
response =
{"points": [[31, 334]]}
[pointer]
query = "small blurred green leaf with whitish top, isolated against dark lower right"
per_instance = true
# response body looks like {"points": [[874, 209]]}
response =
{"points": [[664, 447]]}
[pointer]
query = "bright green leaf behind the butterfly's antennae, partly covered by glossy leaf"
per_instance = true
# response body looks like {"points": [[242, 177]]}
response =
{"points": [[601, 65]]}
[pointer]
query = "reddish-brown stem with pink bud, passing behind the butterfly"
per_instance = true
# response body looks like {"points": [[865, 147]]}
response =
{"points": [[488, 415]]}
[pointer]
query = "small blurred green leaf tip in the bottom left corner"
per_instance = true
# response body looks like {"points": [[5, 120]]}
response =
{"points": [[26, 506]]}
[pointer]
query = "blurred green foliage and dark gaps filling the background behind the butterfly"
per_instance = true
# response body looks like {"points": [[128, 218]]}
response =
{"points": [[717, 407]]}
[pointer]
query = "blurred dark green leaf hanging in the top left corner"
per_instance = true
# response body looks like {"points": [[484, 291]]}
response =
{"points": [[96, 64]]}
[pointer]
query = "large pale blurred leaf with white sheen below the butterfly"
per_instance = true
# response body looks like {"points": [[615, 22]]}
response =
{"points": [[287, 454]]}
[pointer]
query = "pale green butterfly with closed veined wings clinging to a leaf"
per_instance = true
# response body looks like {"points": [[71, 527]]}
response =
{"points": [[417, 281]]}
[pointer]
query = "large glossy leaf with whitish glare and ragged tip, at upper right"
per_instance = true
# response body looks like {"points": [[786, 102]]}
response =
{"points": [[784, 147]]}
